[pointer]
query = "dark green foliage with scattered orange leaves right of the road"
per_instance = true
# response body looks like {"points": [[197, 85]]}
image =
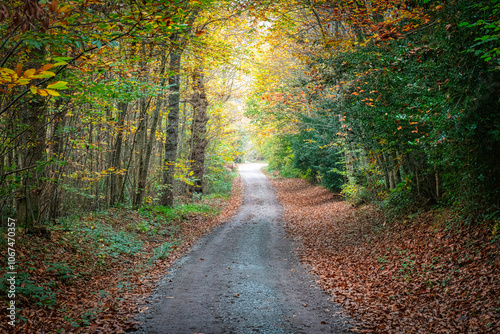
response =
{"points": [[407, 121]]}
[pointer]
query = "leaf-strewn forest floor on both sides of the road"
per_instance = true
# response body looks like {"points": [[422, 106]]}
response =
{"points": [[421, 274]]}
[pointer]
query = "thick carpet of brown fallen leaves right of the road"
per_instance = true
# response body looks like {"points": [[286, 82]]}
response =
{"points": [[413, 276]]}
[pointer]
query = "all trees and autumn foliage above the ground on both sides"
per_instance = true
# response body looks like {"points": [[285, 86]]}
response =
{"points": [[106, 103]]}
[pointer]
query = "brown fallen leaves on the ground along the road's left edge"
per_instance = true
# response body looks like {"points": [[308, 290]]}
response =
{"points": [[101, 294]]}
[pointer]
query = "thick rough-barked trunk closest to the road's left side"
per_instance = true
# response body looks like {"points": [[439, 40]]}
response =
{"points": [[200, 119]]}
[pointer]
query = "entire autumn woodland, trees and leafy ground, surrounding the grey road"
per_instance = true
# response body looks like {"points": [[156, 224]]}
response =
{"points": [[121, 123]]}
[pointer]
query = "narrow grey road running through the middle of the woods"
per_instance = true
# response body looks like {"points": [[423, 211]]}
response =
{"points": [[243, 278]]}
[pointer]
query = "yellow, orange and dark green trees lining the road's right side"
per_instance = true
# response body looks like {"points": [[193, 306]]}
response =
{"points": [[381, 105]]}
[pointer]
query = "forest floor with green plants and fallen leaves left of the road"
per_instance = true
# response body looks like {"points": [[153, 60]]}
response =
{"points": [[90, 274]]}
